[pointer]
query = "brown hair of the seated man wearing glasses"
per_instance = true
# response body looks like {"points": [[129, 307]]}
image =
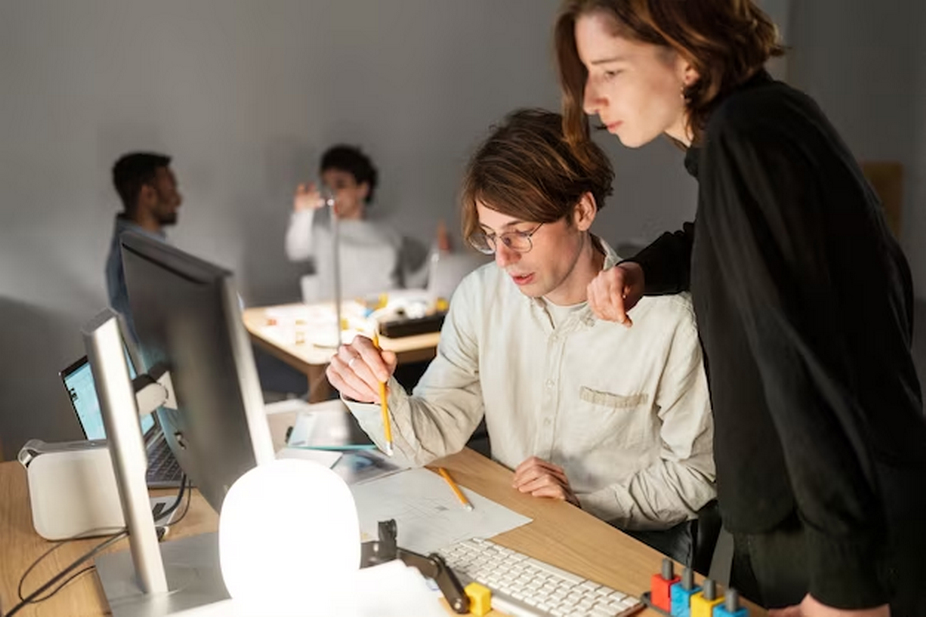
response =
{"points": [[526, 169]]}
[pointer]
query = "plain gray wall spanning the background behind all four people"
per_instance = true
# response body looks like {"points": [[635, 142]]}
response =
{"points": [[245, 95]]}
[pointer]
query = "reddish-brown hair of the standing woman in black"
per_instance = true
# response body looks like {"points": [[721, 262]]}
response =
{"points": [[726, 41]]}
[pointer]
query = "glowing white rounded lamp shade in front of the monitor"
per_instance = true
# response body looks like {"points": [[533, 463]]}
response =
{"points": [[289, 539]]}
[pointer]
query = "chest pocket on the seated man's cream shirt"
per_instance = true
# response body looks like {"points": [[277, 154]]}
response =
{"points": [[619, 419]]}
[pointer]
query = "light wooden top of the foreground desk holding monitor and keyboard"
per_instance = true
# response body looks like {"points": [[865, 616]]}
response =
{"points": [[559, 534]]}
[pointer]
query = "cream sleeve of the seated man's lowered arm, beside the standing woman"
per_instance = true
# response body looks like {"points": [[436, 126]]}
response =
{"points": [[681, 482]]}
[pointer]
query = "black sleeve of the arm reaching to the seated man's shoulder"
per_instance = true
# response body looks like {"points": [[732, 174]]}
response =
{"points": [[667, 261]]}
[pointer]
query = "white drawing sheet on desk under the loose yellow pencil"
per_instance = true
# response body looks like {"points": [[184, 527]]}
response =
{"points": [[427, 513]]}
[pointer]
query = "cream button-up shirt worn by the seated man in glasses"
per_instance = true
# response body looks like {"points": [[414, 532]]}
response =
{"points": [[624, 411]]}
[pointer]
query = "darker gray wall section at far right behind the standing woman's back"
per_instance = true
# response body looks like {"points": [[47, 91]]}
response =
{"points": [[864, 63]]}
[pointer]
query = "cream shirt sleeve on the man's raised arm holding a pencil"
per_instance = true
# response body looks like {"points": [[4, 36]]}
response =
{"points": [[440, 416]]}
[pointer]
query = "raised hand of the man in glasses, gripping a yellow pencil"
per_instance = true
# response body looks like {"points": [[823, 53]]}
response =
{"points": [[357, 370]]}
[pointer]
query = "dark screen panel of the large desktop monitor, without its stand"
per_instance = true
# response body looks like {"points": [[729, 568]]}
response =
{"points": [[188, 321]]}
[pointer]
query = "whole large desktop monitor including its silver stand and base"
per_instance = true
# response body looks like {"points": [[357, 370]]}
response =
{"points": [[197, 370]]}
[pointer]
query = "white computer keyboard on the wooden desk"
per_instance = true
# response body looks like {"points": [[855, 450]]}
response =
{"points": [[525, 587]]}
